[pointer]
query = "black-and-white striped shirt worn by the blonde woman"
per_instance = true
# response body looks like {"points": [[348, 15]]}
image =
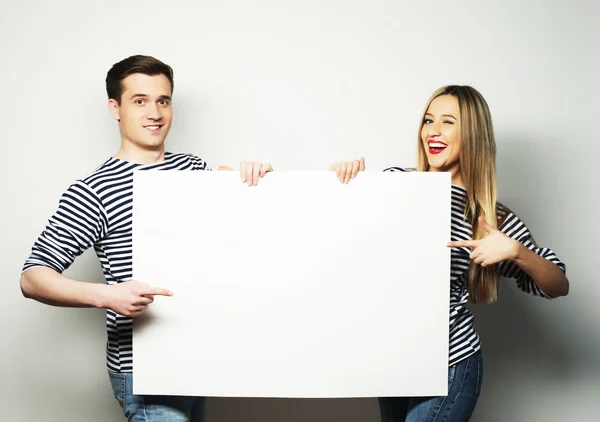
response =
{"points": [[464, 340]]}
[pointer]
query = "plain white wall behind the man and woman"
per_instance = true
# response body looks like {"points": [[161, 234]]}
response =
{"points": [[301, 84]]}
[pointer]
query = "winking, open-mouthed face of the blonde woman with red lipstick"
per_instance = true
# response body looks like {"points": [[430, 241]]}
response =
{"points": [[440, 135]]}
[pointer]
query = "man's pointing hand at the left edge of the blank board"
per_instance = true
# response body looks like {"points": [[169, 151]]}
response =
{"points": [[131, 298]]}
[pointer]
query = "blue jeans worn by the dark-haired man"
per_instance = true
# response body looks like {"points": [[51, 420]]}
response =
{"points": [[154, 408]]}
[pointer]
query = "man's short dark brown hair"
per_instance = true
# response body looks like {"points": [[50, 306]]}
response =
{"points": [[135, 64]]}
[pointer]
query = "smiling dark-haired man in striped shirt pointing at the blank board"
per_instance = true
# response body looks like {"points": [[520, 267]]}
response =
{"points": [[96, 211]]}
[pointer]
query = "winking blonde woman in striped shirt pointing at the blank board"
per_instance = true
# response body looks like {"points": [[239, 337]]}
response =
{"points": [[488, 241]]}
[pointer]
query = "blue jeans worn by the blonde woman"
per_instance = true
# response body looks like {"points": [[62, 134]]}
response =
{"points": [[464, 386]]}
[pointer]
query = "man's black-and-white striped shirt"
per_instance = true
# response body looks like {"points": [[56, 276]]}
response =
{"points": [[96, 211]]}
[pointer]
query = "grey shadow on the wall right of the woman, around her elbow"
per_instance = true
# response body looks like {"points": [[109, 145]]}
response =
{"points": [[531, 345]]}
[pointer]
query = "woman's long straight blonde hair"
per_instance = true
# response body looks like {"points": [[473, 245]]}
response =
{"points": [[478, 169]]}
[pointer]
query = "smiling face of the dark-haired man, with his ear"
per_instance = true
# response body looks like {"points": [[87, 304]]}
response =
{"points": [[145, 112]]}
